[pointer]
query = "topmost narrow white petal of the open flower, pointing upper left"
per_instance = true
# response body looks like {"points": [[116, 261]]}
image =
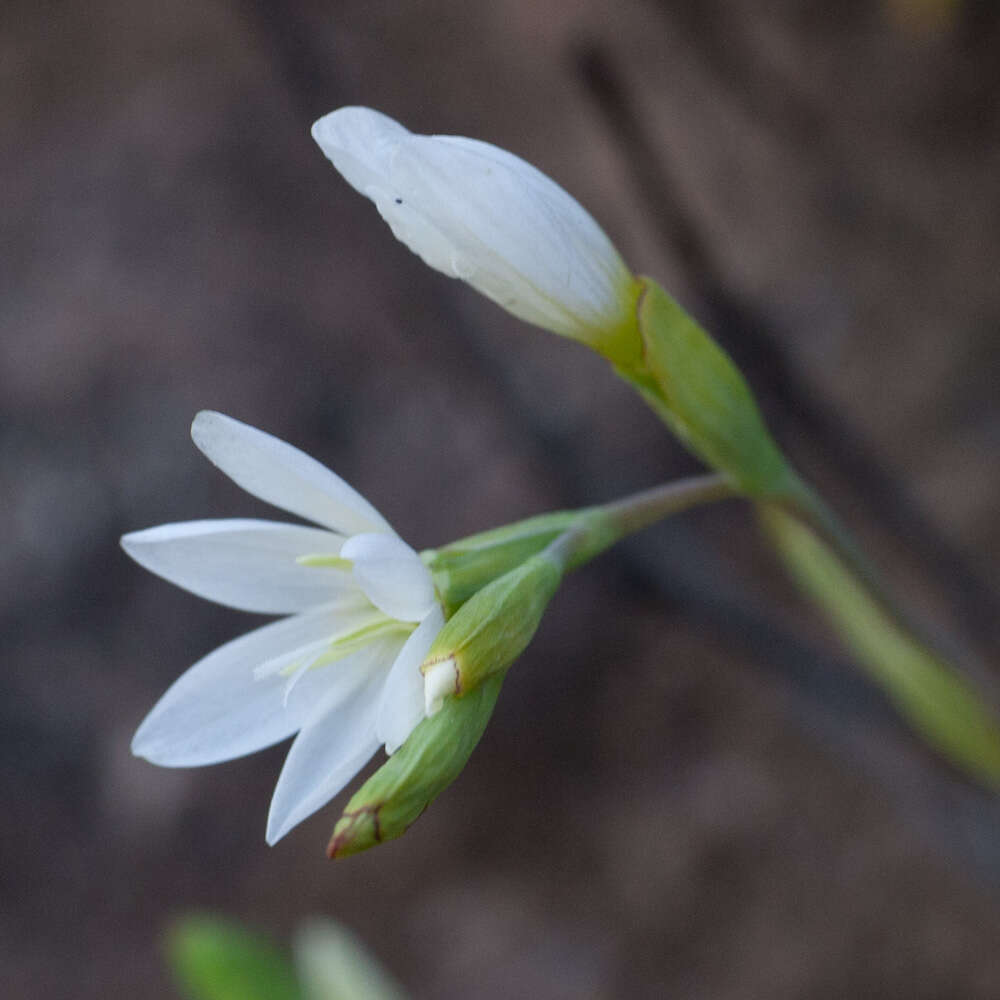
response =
{"points": [[282, 475]]}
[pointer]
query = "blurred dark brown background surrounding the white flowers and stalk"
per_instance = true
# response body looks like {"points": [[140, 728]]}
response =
{"points": [[687, 789]]}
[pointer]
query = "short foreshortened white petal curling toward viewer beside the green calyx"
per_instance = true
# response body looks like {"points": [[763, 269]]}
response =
{"points": [[392, 575]]}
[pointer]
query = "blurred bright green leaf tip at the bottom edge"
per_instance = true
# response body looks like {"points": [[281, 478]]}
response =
{"points": [[214, 959]]}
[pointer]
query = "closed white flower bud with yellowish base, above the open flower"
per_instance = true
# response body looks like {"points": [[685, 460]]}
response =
{"points": [[477, 212]]}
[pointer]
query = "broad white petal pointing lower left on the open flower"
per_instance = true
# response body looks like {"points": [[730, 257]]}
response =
{"points": [[218, 710]]}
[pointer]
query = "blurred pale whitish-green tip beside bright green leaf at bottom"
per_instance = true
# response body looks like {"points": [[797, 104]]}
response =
{"points": [[334, 965]]}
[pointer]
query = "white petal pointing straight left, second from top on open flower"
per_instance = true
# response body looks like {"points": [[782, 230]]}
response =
{"points": [[245, 564]]}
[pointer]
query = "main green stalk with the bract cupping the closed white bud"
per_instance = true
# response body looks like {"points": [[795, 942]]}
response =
{"points": [[703, 398]]}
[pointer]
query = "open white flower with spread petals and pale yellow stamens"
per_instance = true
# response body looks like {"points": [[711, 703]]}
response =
{"points": [[343, 671]]}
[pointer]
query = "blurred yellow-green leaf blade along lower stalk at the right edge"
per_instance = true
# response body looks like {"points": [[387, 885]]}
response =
{"points": [[940, 704]]}
